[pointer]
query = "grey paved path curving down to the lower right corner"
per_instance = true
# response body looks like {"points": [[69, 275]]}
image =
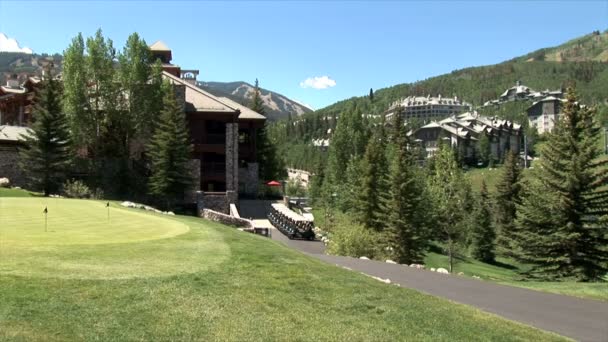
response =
{"points": [[580, 319]]}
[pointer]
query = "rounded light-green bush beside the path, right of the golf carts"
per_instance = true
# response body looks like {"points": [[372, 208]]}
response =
{"points": [[354, 240]]}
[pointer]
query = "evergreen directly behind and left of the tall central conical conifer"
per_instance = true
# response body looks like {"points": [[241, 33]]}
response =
{"points": [[373, 182]]}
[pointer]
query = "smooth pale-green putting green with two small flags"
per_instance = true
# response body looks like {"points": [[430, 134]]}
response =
{"points": [[80, 241]]}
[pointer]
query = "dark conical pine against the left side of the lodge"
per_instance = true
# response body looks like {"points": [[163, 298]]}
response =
{"points": [[170, 151]]}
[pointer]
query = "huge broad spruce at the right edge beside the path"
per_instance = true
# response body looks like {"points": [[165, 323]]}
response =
{"points": [[562, 222]]}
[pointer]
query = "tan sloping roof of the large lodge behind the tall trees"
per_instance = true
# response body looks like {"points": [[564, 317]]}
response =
{"points": [[198, 100]]}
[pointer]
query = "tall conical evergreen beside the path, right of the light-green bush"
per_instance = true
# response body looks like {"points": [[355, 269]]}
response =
{"points": [[406, 232]]}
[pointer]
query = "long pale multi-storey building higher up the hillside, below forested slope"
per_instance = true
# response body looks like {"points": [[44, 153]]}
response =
{"points": [[428, 108]]}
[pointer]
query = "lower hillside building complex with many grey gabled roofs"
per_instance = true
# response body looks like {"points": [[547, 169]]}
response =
{"points": [[464, 132]]}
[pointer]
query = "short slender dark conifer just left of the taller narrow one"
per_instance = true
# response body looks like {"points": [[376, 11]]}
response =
{"points": [[483, 236]]}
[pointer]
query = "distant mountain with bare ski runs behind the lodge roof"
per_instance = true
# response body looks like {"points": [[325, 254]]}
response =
{"points": [[277, 106]]}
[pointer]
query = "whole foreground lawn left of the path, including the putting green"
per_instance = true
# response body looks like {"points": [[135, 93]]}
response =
{"points": [[153, 277]]}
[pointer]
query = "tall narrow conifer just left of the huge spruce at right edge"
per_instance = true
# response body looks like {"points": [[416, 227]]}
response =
{"points": [[508, 195]]}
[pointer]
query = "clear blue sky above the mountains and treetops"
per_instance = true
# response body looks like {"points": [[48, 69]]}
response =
{"points": [[357, 45]]}
